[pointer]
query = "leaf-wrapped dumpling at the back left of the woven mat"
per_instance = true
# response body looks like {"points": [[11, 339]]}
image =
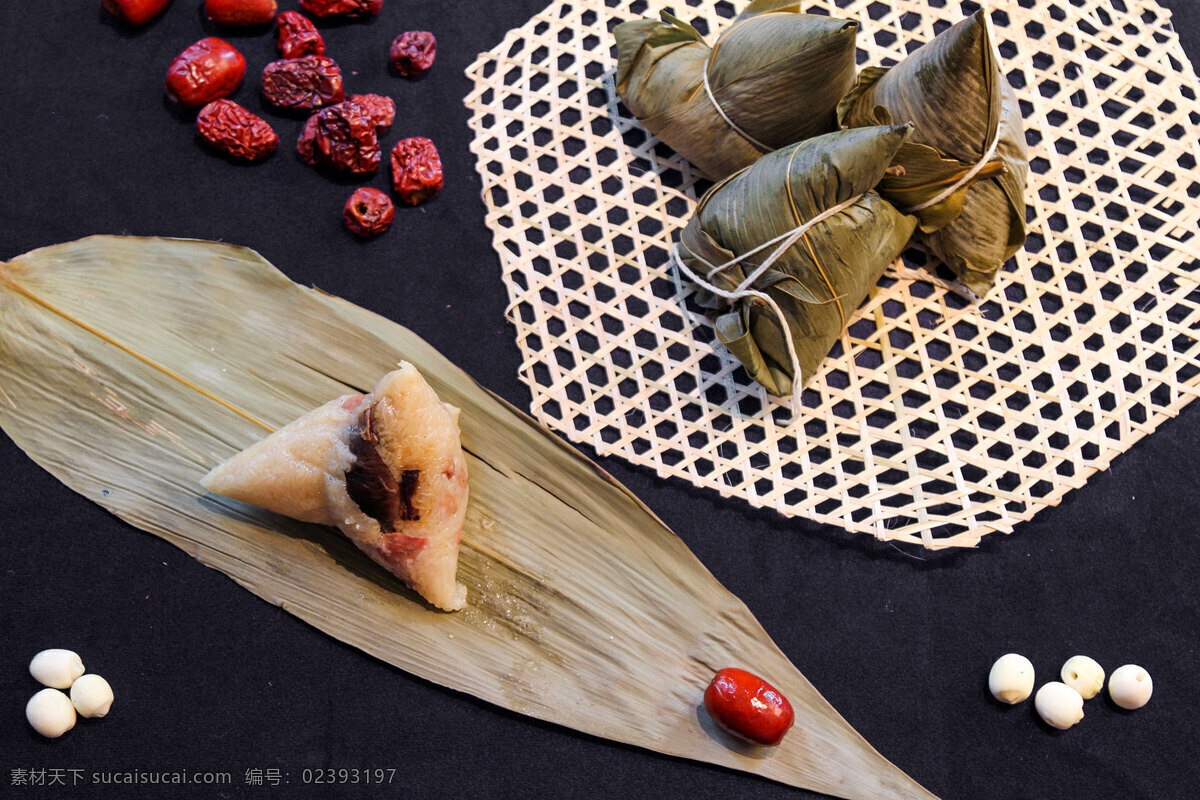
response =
{"points": [[775, 77]]}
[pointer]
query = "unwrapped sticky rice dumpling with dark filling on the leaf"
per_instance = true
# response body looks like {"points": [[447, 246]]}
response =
{"points": [[386, 468]]}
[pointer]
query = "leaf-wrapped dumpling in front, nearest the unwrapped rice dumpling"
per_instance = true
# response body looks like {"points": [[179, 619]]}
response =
{"points": [[812, 208]]}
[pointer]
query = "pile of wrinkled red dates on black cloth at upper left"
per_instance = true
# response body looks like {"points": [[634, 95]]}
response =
{"points": [[343, 134]]}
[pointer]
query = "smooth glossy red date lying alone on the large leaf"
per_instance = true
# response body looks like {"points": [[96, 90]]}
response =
{"points": [[748, 707]]}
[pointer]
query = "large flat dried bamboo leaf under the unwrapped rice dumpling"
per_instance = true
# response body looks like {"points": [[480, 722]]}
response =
{"points": [[131, 366]]}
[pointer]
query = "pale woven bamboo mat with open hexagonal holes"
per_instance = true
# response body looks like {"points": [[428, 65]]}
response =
{"points": [[937, 422]]}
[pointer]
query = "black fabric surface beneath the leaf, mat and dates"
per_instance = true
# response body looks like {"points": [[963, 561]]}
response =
{"points": [[208, 677]]}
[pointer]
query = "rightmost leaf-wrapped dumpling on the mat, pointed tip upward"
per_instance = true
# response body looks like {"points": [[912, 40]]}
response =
{"points": [[955, 94]]}
